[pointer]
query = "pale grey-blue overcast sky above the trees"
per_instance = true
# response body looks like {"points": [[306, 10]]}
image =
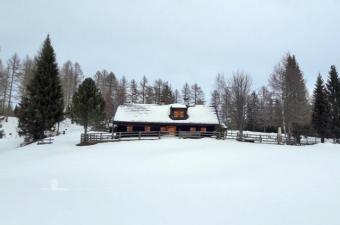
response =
{"points": [[177, 40]]}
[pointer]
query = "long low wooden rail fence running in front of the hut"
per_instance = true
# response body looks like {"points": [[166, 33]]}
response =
{"points": [[93, 138]]}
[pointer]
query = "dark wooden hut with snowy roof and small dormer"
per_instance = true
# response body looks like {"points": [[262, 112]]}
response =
{"points": [[166, 118]]}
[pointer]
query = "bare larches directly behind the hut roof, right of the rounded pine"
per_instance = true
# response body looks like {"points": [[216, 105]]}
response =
{"points": [[117, 91]]}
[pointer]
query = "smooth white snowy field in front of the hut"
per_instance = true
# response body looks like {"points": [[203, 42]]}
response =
{"points": [[168, 181]]}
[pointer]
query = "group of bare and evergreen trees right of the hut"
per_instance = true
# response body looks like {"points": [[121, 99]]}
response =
{"points": [[284, 103]]}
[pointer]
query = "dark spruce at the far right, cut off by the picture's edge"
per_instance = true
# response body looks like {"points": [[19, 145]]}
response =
{"points": [[333, 93]]}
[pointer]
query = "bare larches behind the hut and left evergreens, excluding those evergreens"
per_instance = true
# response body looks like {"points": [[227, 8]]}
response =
{"points": [[16, 75]]}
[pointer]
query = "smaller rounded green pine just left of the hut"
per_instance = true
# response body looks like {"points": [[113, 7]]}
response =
{"points": [[88, 104]]}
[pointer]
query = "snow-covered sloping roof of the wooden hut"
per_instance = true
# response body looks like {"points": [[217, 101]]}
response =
{"points": [[152, 113]]}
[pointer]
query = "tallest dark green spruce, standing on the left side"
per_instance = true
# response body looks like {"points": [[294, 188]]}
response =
{"points": [[43, 106]]}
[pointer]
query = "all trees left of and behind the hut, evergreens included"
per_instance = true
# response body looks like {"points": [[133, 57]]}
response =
{"points": [[43, 93]]}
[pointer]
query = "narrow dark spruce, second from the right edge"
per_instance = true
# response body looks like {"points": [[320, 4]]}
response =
{"points": [[320, 116]]}
